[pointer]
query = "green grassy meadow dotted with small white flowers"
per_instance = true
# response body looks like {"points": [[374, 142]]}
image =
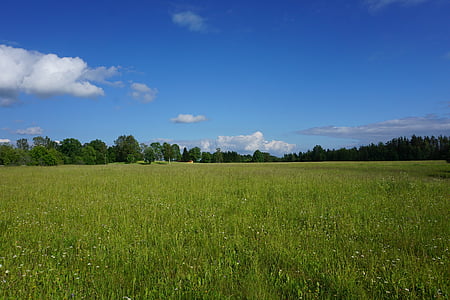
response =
{"points": [[256, 231]]}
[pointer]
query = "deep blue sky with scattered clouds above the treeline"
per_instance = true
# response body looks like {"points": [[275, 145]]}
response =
{"points": [[279, 76]]}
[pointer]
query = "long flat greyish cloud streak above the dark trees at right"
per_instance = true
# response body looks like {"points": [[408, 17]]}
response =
{"points": [[383, 131]]}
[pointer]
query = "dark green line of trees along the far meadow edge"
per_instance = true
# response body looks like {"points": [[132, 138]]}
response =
{"points": [[45, 152]]}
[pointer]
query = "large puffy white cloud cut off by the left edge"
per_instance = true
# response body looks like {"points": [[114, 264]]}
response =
{"points": [[47, 75]]}
